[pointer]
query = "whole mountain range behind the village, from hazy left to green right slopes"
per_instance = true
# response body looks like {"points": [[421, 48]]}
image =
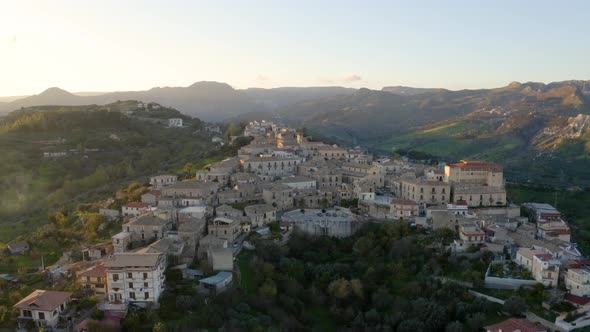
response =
{"points": [[510, 124]]}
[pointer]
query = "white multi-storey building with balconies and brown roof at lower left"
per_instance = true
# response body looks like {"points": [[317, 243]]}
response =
{"points": [[133, 277]]}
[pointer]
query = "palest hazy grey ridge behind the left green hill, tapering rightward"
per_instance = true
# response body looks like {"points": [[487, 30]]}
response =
{"points": [[211, 101]]}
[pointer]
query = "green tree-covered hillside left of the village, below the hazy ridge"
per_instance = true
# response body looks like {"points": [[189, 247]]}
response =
{"points": [[106, 147]]}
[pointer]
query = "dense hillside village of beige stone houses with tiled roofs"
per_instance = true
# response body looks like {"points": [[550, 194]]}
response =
{"points": [[283, 182]]}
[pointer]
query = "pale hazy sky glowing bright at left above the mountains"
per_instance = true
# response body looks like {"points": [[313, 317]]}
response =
{"points": [[132, 45]]}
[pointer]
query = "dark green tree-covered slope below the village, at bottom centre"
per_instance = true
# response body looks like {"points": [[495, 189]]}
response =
{"points": [[383, 278]]}
